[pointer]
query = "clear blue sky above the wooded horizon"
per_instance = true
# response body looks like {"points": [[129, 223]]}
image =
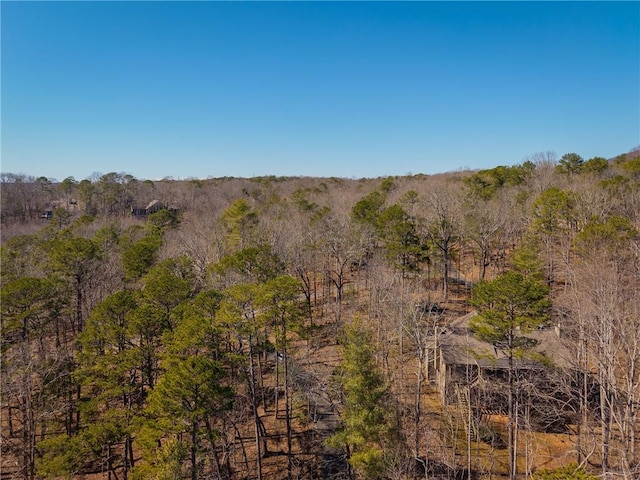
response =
{"points": [[364, 89]]}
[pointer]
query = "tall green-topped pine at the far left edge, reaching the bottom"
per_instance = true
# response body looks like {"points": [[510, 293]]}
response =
{"points": [[32, 378]]}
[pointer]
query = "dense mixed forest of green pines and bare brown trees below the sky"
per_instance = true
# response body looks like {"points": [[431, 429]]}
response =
{"points": [[289, 327]]}
